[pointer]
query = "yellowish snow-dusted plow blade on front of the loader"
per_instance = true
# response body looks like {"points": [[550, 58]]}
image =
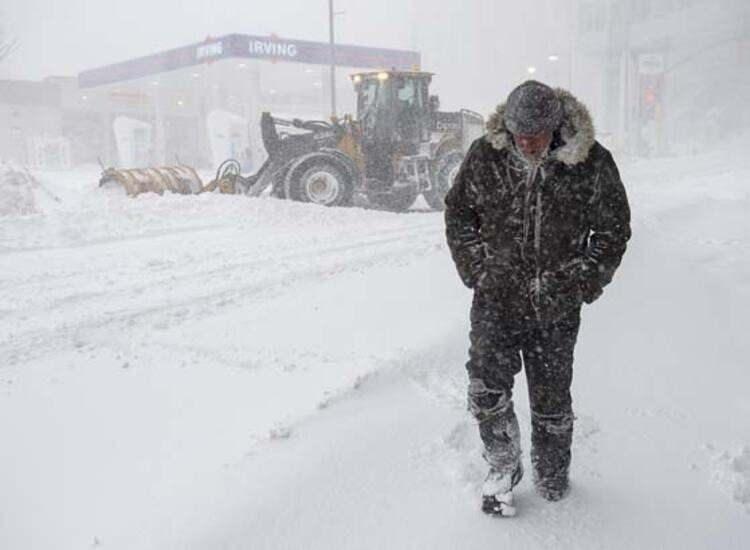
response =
{"points": [[175, 179]]}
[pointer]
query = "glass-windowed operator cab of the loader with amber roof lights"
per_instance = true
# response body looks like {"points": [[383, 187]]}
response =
{"points": [[394, 109]]}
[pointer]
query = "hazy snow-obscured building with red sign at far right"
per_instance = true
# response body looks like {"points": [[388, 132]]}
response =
{"points": [[665, 76]]}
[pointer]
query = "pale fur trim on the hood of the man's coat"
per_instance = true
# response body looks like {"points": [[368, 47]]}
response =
{"points": [[576, 131]]}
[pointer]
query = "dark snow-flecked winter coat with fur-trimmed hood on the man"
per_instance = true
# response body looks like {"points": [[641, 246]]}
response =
{"points": [[538, 240]]}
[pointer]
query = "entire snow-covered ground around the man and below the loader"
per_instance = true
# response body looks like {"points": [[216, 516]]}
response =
{"points": [[224, 372]]}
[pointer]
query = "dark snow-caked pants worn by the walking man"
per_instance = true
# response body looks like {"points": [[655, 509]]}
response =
{"points": [[499, 348]]}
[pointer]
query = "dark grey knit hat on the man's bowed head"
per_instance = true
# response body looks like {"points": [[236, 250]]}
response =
{"points": [[533, 108]]}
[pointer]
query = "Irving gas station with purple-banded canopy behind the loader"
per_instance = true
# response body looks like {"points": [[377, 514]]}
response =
{"points": [[199, 104]]}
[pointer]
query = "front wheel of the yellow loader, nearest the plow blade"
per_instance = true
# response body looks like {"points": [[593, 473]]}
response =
{"points": [[322, 183]]}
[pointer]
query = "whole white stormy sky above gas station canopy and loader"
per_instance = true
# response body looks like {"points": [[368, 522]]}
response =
{"points": [[469, 43]]}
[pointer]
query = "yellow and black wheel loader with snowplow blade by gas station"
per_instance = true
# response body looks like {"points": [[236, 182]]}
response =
{"points": [[400, 145]]}
